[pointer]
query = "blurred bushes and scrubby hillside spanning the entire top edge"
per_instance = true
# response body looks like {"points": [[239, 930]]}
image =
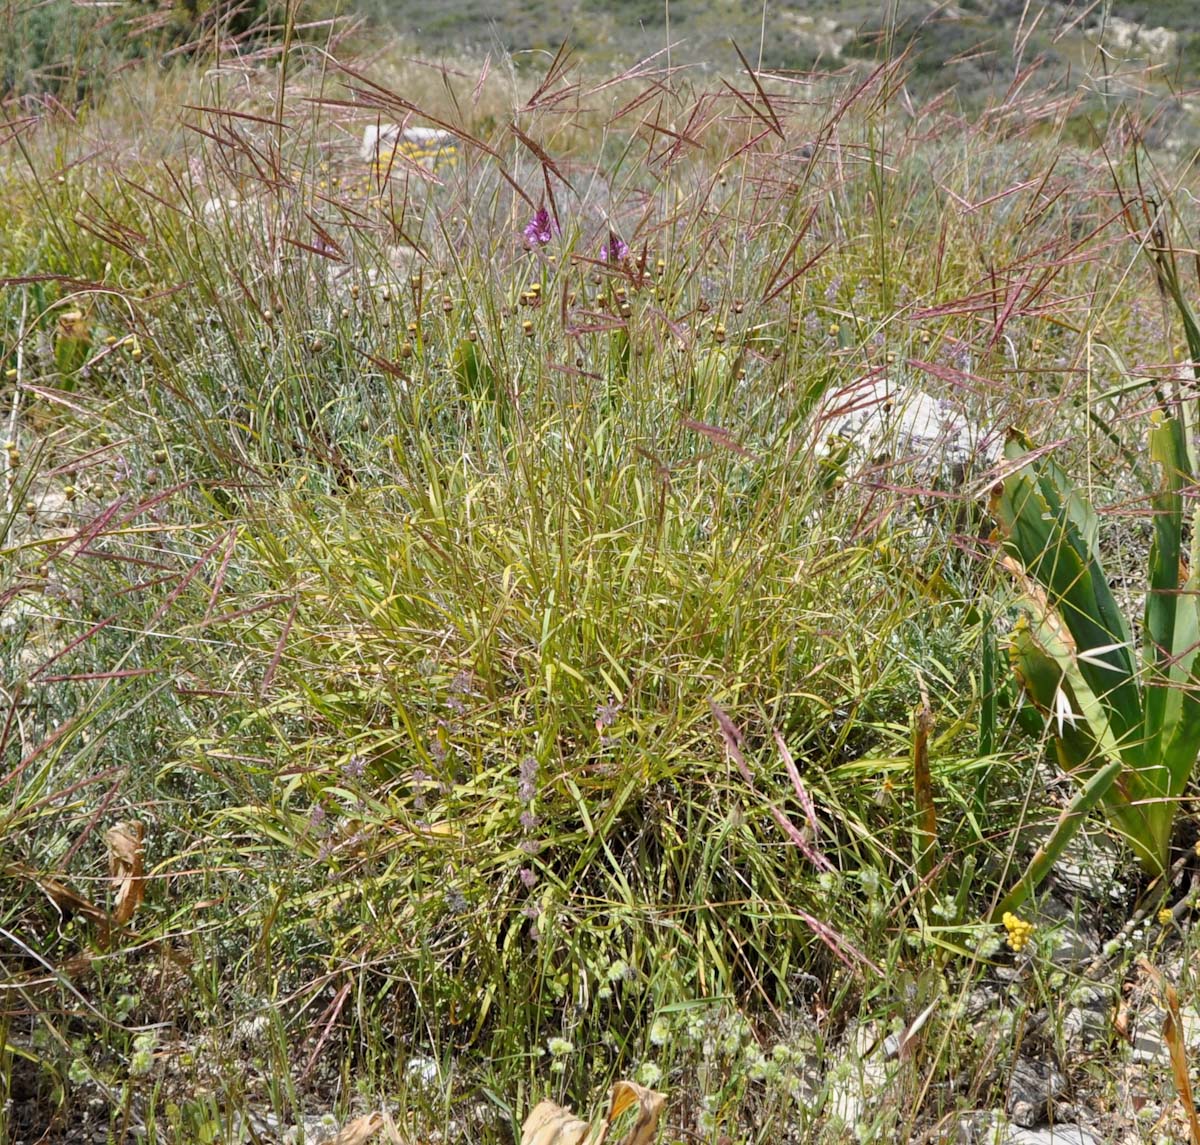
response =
{"points": [[975, 47]]}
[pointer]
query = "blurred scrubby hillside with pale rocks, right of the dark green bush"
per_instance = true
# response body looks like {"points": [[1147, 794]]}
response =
{"points": [[976, 49]]}
